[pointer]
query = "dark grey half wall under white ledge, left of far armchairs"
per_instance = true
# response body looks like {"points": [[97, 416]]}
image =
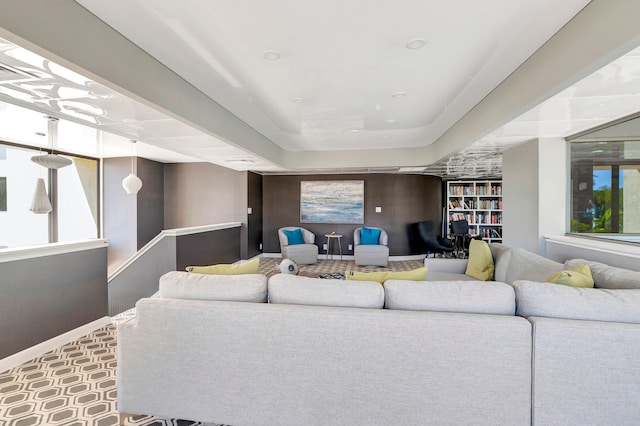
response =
{"points": [[208, 248]]}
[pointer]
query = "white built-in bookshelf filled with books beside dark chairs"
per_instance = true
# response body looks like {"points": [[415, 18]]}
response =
{"points": [[480, 203]]}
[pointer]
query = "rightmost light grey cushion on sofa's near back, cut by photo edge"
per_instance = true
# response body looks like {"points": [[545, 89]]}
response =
{"points": [[559, 301]]}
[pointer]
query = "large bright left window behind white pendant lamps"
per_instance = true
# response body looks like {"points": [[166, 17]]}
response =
{"points": [[74, 190]]}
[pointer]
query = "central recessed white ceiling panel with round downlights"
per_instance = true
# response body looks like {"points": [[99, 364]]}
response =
{"points": [[341, 62]]}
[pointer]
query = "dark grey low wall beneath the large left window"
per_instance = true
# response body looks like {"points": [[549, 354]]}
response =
{"points": [[46, 296]]}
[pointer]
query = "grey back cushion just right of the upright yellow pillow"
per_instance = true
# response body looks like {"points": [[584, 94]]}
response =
{"points": [[525, 265]]}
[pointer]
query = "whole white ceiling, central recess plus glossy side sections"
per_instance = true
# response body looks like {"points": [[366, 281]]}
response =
{"points": [[344, 79]]}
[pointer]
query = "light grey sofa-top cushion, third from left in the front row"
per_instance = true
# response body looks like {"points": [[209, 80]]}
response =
{"points": [[479, 297]]}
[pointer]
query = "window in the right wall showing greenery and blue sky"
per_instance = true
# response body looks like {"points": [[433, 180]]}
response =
{"points": [[605, 185]]}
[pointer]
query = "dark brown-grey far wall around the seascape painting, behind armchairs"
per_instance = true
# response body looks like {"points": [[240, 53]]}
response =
{"points": [[405, 200]]}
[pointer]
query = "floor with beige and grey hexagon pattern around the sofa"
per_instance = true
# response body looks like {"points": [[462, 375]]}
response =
{"points": [[75, 384]]}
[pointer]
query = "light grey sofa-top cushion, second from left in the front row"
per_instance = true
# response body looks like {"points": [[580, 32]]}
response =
{"points": [[297, 290]]}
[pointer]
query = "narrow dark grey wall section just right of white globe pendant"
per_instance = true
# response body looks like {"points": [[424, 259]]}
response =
{"points": [[150, 201]]}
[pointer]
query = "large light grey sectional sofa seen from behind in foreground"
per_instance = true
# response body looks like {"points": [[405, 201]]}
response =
{"points": [[303, 351]]}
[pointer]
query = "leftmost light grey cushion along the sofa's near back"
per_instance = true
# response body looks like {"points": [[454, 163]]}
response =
{"points": [[237, 288]]}
